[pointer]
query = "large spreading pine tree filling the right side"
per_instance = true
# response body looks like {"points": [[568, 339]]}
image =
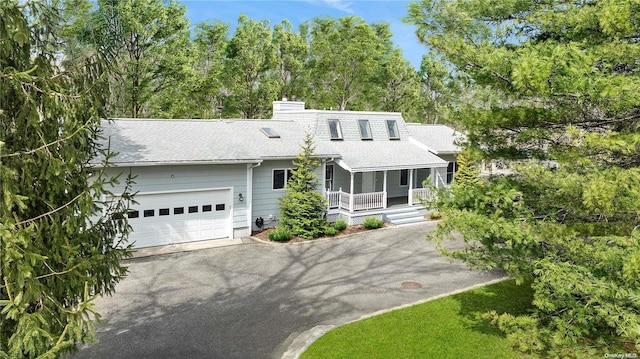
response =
{"points": [[557, 86]]}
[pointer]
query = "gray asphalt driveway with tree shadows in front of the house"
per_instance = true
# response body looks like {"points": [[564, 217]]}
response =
{"points": [[259, 300]]}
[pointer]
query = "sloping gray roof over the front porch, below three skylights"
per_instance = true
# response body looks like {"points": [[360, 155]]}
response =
{"points": [[366, 156]]}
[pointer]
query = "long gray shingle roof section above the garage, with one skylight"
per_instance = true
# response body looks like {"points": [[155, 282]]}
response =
{"points": [[150, 141]]}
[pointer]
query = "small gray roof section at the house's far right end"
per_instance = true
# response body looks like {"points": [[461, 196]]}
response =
{"points": [[438, 138]]}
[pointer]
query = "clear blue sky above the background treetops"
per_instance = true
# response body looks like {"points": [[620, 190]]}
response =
{"points": [[298, 11]]}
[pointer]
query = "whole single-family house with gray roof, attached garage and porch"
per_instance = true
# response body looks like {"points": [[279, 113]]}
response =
{"points": [[207, 179]]}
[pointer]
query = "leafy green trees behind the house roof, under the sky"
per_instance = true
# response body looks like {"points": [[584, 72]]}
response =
{"points": [[161, 67]]}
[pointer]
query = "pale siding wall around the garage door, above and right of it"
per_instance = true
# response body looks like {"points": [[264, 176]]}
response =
{"points": [[150, 179]]}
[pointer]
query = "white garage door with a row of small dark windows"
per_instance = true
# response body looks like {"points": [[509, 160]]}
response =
{"points": [[179, 217]]}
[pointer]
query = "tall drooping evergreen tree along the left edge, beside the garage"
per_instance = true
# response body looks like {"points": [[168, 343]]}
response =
{"points": [[58, 250]]}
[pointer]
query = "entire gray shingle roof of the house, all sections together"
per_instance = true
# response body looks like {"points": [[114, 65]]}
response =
{"points": [[155, 141]]}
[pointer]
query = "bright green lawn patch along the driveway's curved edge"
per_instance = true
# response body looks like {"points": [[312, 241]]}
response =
{"points": [[449, 327]]}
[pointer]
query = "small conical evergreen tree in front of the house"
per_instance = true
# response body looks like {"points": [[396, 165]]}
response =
{"points": [[302, 209]]}
